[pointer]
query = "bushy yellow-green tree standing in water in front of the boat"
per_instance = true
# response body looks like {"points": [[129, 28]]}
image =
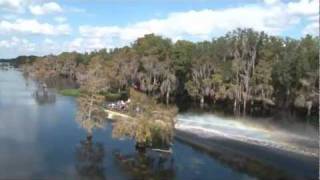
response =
{"points": [[150, 121]]}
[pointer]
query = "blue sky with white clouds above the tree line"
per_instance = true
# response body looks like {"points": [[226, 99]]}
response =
{"points": [[41, 27]]}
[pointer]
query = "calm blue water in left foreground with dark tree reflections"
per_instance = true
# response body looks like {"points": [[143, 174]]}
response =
{"points": [[42, 140]]}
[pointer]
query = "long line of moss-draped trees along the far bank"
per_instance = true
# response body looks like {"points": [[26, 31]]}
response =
{"points": [[243, 71]]}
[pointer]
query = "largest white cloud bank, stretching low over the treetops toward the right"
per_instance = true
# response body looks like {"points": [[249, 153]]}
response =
{"points": [[196, 25]]}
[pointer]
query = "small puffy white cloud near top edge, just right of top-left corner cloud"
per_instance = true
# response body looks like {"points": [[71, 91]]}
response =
{"points": [[46, 8]]}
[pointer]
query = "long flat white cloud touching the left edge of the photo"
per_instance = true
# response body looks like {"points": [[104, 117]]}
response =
{"points": [[32, 26]]}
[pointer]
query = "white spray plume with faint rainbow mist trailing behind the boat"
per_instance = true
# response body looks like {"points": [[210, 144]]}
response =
{"points": [[286, 135]]}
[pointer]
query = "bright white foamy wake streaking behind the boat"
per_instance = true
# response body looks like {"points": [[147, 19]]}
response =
{"points": [[212, 126]]}
